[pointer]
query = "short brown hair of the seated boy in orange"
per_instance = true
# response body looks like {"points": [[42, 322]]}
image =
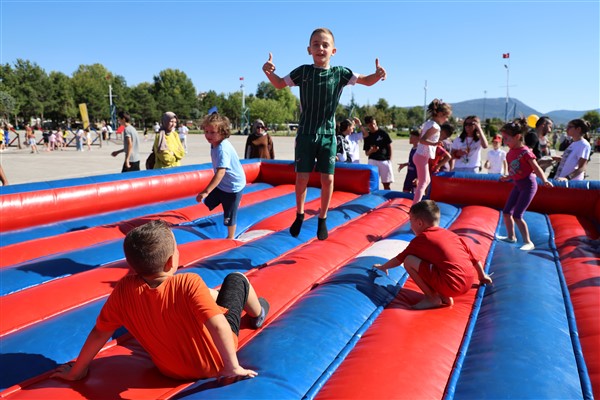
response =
{"points": [[148, 247]]}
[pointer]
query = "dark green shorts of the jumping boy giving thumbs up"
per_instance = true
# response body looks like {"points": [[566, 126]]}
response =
{"points": [[315, 153]]}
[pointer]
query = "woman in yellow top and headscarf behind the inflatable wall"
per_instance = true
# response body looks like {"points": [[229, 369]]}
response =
{"points": [[167, 147]]}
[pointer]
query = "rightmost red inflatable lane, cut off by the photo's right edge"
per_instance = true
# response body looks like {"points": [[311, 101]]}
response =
{"points": [[578, 246]]}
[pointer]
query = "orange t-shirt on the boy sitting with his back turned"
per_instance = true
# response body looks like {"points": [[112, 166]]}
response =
{"points": [[168, 321]]}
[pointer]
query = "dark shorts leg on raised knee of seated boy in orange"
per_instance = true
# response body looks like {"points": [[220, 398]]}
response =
{"points": [[233, 295]]}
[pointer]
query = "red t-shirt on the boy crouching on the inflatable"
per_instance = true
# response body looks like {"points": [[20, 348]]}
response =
{"points": [[449, 258]]}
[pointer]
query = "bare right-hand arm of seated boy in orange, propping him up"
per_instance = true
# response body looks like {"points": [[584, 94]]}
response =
{"points": [[220, 331]]}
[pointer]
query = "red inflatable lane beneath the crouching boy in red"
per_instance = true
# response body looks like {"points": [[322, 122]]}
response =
{"points": [[410, 354]]}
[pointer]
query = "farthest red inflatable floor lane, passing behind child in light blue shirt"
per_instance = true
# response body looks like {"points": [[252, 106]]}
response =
{"points": [[24, 251]]}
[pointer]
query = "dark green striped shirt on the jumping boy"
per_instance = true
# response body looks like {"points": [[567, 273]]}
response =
{"points": [[320, 92]]}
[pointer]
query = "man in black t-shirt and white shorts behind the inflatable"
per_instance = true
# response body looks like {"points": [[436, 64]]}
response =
{"points": [[378, 148]]}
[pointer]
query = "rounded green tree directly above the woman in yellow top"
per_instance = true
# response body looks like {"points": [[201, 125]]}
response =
{"points": [[174, 91]]}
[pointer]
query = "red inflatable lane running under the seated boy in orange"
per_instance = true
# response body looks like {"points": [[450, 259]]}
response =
{"points": [[125, 370]]}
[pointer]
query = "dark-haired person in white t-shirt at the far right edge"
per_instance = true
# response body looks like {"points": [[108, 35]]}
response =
{"points": [[574, 160]]}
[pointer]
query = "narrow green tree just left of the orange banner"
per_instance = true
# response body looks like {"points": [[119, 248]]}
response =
{"points": [[61, 99]]}
